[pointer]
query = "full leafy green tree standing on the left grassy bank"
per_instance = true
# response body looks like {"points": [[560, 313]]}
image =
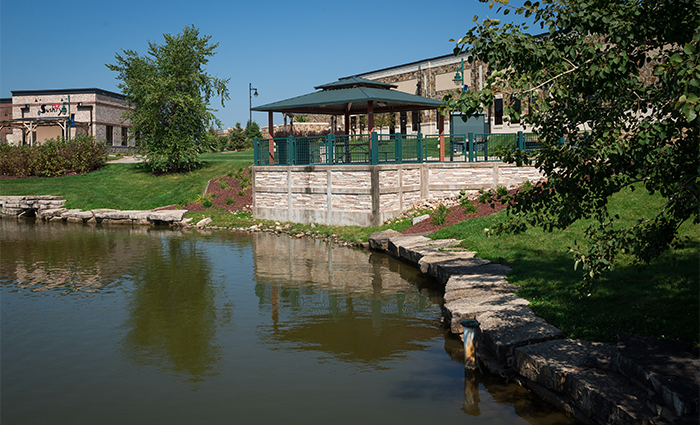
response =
{"points": [[168, 91]]}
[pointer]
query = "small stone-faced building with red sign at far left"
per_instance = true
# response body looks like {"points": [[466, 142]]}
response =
{"points": [[34, 116]]}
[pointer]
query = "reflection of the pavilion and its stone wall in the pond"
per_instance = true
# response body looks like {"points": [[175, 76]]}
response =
{"points": [[340, 301]]}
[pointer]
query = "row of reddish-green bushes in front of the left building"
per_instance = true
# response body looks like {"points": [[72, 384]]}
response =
{"points": [[53, 158]]}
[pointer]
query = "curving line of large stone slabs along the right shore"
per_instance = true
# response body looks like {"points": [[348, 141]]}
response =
{"points": [[638, 381]]}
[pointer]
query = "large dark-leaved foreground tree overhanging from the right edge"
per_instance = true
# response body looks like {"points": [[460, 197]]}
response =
{"points": [[613, 94]]}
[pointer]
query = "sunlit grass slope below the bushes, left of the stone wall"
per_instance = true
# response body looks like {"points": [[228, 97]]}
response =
{"points": [[129, 186]]}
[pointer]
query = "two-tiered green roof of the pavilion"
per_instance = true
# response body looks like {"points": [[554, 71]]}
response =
{"points": [[350, 95]]}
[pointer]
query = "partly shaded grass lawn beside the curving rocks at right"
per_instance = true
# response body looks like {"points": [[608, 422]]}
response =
{"points": [[661, 300]]}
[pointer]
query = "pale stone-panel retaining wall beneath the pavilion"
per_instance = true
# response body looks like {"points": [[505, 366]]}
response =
{"points": [[368, 195]]}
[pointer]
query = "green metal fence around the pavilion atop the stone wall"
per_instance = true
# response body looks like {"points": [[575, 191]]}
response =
{"points": [[386, 148]]}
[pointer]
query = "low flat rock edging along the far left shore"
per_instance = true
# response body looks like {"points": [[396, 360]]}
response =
{"points": [[50, 208]]}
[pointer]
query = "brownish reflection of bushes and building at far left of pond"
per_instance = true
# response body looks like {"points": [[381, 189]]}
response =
{"points": [[68, 257]]}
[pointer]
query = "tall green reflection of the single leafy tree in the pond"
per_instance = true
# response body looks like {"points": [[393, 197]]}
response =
{"points": [[172, 315]]}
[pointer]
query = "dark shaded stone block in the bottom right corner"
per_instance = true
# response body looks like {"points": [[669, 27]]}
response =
{"points": [[667, 367]]}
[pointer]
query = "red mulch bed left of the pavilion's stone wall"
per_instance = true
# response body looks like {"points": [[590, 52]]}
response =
{"points": [[220, 196]]}
